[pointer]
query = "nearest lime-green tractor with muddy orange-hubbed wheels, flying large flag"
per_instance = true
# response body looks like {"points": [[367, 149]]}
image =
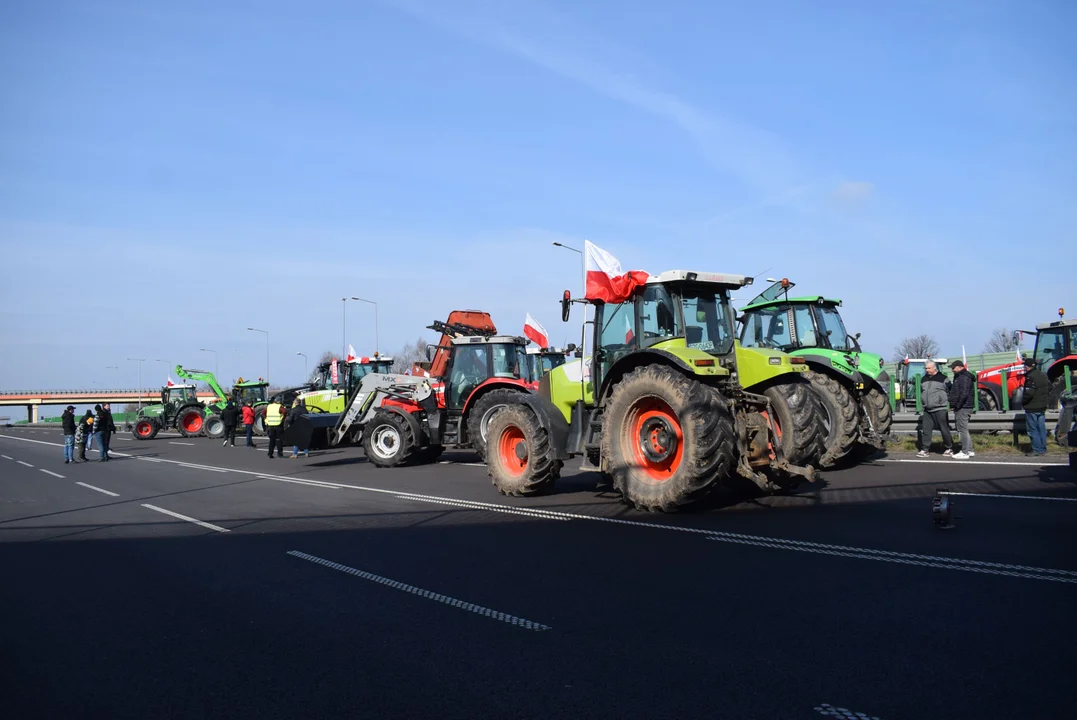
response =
{"points": [[669, 406]]}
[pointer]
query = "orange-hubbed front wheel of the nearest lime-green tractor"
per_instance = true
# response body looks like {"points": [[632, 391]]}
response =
{"points": [[521, 460]]}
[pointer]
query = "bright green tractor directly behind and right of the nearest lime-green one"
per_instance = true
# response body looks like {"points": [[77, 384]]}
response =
{"points": [[851, 385]]}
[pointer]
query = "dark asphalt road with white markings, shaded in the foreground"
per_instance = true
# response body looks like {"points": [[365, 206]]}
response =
{"points": [[326, 588]]}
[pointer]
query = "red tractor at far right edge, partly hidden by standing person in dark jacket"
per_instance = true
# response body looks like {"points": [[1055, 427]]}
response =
{"points": [[1057, 356]]}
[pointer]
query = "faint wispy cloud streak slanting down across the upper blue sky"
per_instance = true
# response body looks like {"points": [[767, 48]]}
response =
{"points": [[751, 154]]}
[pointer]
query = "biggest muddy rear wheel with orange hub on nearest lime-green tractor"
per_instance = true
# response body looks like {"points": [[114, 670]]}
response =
{"points": [[667, 440]]}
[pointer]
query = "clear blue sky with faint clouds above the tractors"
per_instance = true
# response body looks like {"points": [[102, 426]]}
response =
{"points": [[172, 174]]}
